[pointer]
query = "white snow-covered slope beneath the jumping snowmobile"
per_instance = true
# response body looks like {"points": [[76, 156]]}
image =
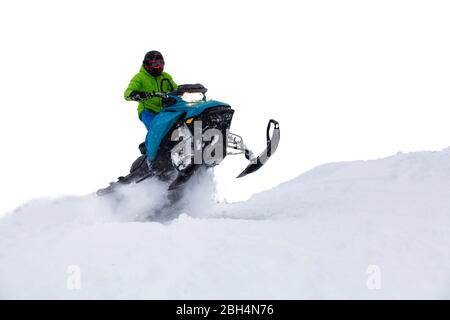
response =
{"points": [[320, 235]]}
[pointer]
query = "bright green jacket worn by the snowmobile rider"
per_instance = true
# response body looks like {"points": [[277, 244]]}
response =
{"points": [[143, 81]]}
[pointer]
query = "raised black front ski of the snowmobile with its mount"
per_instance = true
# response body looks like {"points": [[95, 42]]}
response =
{"points": [[272, 145]]}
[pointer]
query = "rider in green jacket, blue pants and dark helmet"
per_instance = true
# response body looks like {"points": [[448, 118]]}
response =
{"points": [[150, 79]]}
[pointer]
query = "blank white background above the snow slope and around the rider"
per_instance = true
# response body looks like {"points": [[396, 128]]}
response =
{"points": [[346, 79]]}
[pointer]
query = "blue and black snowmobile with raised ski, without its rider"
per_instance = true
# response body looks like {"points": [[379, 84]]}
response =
{"points": [[191, 132]]}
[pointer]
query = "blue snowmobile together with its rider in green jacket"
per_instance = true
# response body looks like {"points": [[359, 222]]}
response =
{"points": [[187, 132]]}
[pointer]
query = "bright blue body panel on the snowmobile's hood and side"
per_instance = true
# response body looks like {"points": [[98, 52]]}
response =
{"points": [[169, 116]]}
